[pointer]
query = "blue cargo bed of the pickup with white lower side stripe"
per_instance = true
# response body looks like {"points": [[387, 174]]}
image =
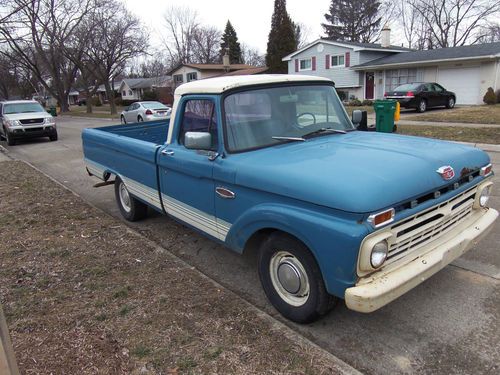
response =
{"points": [[128, 152]]}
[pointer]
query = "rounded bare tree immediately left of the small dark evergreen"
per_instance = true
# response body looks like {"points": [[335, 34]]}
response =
{"points": [[207, 44]]}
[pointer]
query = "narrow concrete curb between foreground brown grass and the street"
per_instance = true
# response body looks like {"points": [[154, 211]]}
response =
{"points": [[276, 325]]}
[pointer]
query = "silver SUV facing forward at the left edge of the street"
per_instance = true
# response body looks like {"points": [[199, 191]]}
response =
{"points": [[25, 119]]}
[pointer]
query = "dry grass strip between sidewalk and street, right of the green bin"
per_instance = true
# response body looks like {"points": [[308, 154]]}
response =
{"points": [[474, 135]]}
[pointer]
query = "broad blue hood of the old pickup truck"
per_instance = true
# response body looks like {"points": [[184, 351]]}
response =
{"points": [[357, 172]]}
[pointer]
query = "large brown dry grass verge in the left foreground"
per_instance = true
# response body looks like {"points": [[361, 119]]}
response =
{"points": [[85, 294]]}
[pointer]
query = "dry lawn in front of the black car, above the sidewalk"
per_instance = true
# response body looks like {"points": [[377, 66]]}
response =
{"points": [[481, 114]]}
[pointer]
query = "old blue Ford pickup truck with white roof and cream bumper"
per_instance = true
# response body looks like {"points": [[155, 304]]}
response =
{"points": [[273, 164]]}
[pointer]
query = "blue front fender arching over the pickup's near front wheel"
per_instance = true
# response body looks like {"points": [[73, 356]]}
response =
{"points": [[333, 240]]}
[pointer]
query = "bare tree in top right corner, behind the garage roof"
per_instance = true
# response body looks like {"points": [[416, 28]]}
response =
{"points": [[452, 23]]}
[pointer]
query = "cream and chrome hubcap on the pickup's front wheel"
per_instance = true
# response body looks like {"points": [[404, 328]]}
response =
{"points": [[289, 278]]}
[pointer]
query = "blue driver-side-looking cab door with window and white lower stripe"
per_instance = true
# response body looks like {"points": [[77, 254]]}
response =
{"points": [[186, 174]]}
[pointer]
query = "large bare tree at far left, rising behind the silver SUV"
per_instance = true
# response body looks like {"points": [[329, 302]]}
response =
{"points": [[37, 31]]}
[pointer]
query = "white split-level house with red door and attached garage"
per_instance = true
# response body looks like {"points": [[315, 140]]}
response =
{"points": [[367, 70]]}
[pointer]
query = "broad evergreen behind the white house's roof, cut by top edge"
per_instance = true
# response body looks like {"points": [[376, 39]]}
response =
{"points": [[353, 20]]}
